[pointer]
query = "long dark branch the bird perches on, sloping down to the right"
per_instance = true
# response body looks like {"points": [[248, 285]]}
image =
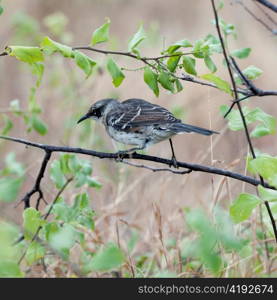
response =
{"points": [[164, 161]]}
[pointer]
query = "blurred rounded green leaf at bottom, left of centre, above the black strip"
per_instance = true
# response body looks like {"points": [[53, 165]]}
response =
{"points": [[109, 258]]}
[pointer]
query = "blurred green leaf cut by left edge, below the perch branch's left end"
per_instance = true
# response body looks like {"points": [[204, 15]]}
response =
{"points": [[9, 188]]}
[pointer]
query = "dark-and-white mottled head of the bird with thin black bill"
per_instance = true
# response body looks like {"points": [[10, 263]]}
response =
{"points": [[98, 109]]}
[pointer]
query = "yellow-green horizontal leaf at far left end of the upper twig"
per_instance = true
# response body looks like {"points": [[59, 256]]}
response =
{"points": [[26, 54]]}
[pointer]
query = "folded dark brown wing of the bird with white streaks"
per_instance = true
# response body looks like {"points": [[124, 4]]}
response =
{"points": [[135, 113]]}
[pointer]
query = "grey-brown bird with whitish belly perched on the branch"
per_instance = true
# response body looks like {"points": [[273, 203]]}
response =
{"points": [[140, 123]]}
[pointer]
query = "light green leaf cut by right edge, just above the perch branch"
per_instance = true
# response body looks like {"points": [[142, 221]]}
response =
{"points": [[266, 167]]}
